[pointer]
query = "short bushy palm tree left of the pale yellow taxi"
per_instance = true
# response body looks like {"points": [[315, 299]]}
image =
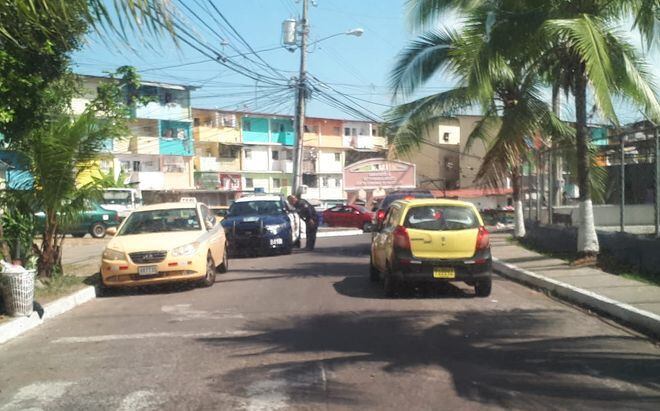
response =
{"points": [[58, 153]]}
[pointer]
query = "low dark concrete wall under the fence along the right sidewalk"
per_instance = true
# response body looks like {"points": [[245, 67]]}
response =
{"points": [[638, 252]]}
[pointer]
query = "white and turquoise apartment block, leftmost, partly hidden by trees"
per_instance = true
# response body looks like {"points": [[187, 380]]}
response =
{"points": [[159, 152]]}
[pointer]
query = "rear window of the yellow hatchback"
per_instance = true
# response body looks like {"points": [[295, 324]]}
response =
{"points": [[441, 218]]}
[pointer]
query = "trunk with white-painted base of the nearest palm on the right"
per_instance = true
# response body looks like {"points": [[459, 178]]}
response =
{"points": [[587, 238]]}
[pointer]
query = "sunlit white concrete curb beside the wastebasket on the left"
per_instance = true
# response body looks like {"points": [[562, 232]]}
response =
{"points": [[17, 326]]}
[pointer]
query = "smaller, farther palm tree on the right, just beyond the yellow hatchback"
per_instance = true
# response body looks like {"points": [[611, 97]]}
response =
{"points": [[506, 87]]}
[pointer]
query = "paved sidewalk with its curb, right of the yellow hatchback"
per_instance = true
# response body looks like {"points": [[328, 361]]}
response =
{"points": [[628, 301]]}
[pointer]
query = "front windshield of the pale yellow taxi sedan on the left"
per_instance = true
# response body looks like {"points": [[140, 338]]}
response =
{"points": [[161, 221]]}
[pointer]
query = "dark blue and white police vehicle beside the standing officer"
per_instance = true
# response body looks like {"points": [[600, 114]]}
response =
{"points": [[261, 224]]}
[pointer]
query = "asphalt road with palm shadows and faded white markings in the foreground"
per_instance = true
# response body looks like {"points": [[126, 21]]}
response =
{"points": [[309, 331]]}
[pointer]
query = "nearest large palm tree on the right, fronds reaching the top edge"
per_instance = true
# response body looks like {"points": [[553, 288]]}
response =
{"points": [[594, 54]]}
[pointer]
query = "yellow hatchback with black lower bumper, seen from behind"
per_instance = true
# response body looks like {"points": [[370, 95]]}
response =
{"points": [[431, 240]]}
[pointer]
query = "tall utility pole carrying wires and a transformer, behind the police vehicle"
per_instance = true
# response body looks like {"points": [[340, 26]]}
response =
{"points": [[301, 95]]}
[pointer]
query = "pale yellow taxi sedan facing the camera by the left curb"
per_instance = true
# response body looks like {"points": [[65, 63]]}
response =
{"points": [[163, 243]]}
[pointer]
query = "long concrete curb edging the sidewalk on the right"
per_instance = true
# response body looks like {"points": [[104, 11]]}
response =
{"points": [[641, 320]]}
